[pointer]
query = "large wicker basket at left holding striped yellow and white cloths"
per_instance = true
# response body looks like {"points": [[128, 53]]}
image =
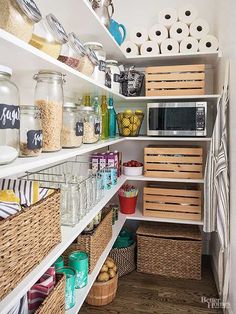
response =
{"points": [[26, 238]]}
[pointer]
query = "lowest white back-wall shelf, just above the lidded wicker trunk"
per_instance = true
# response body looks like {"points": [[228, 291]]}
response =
{"points": [[139, 216]]}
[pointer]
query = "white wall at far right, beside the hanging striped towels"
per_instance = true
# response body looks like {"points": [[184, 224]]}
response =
{"points": [[227, 22]]}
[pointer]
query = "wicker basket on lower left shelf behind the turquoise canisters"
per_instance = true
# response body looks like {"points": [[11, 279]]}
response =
{"points": [[93, 244]]}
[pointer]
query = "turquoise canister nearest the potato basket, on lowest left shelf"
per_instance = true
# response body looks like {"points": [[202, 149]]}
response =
{"points": [[78, 260]]}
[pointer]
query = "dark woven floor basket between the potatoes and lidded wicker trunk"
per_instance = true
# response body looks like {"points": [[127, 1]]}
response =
{"points": [[124, 259]]}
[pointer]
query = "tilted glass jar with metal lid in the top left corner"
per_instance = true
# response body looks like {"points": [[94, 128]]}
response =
{"points": [[18, 17]]}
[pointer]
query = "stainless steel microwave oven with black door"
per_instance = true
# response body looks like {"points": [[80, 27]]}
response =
{"points": [[177, 119]]}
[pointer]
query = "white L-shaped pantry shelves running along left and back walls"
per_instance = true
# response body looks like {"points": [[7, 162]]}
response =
{"points": [[25, 61]]}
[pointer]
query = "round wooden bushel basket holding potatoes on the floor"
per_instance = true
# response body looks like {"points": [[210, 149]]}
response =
{"points": [[102, 293]]}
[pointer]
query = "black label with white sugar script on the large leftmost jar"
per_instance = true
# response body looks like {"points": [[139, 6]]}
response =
{"points": [[9, 116]]}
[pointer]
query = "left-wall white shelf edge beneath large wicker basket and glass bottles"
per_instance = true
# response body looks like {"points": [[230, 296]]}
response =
{"points": [[69, 234]]}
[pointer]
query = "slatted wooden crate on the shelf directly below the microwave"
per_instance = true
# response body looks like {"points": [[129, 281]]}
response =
{"points": [[173, 162]]}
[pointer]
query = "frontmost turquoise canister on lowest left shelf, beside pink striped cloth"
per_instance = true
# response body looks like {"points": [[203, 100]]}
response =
{"points": [[70, 286]]}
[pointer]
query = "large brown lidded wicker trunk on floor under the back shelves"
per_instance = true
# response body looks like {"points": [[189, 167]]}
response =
{"points": [[170, 250]]}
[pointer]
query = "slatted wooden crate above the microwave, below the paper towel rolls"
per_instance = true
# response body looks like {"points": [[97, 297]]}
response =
{"points": [[175, 80]]}
